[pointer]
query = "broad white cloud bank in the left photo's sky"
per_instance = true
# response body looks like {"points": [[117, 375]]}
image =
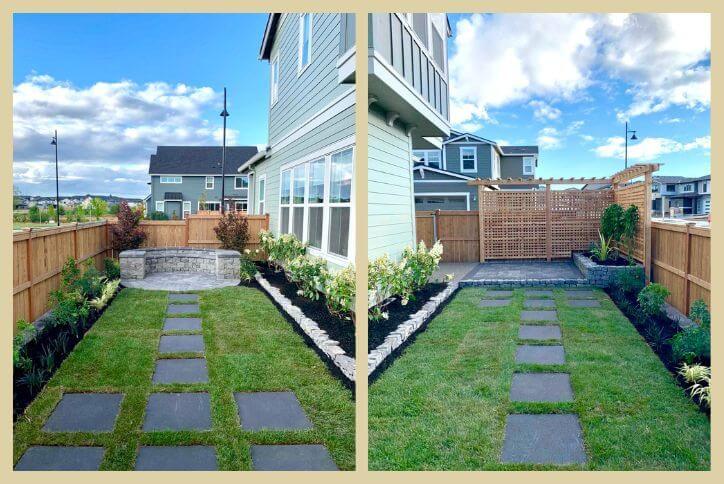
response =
{"points": [[106, 132]]}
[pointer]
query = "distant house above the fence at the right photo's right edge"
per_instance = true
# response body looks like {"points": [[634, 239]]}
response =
{"points": [[688, 196]]}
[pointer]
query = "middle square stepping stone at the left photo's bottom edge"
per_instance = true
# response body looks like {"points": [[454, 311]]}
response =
{"points": [[182, 458]]}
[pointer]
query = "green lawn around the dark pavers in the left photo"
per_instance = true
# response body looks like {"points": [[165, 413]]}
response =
{"points": [[249, 347]]}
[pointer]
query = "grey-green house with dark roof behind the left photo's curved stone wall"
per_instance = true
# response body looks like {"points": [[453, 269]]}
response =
{"points": [[183, 175]]}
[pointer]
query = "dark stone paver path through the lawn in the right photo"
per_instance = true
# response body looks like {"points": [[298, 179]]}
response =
{"points": [[553, 439]]}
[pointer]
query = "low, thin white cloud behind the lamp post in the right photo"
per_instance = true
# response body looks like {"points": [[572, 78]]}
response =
{"points": [[649, 148]]}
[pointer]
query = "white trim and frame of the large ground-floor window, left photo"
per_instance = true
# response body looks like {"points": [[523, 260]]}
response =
{"points": [[326, 153]]}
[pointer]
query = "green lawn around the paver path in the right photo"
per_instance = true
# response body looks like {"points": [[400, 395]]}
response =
{"points": [[442, 405]]}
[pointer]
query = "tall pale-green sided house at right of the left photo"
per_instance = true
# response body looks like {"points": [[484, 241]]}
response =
{"points": [[303, 179]]}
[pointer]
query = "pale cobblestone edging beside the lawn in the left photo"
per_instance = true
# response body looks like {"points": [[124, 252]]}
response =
{"points": [[329, 347]]}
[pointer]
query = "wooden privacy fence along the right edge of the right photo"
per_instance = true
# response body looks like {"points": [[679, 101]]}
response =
{"points": [[681, 261]]}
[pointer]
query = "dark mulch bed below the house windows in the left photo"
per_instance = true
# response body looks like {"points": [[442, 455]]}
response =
{"points": [[338, 329]]}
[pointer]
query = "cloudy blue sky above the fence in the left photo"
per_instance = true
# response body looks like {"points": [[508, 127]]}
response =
{"points": [[116, 85]]}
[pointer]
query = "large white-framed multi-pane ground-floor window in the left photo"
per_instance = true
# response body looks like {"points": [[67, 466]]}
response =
{"points": [[315, 202]]}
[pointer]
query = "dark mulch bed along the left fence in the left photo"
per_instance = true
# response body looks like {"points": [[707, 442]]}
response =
{"points": [[47, 350]]}
